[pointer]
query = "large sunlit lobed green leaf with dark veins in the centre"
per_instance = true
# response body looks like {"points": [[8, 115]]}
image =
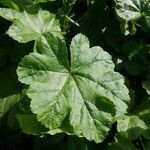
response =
{"points": [[88, 92]]}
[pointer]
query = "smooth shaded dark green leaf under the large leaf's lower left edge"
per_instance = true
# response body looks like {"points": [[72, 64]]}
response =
{"points": [[29, 124]]}
